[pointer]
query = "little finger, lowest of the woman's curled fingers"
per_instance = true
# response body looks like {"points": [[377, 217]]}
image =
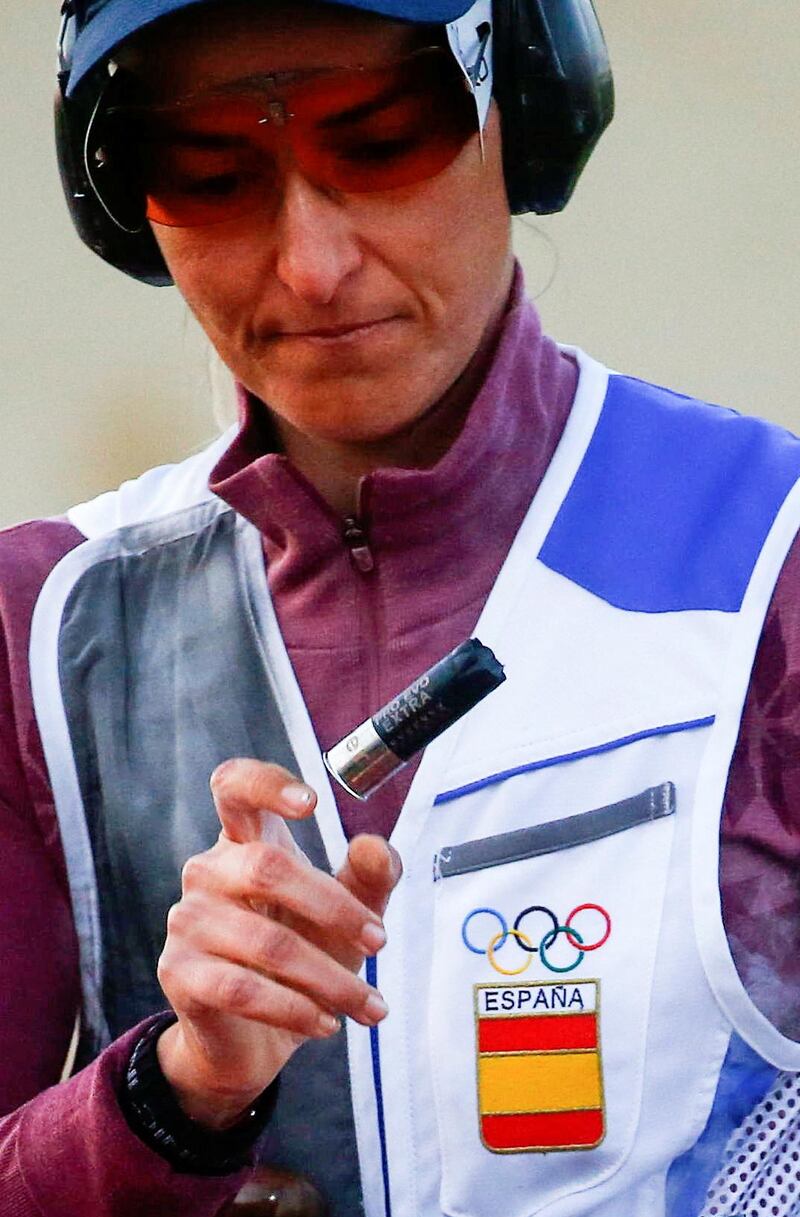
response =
{"points": [[204, 986]]}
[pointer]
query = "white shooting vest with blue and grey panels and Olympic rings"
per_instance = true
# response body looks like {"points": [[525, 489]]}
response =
{"points": [[568, 1033]]}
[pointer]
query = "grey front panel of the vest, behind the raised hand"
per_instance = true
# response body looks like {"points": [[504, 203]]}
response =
{"points": [[164, 677]]}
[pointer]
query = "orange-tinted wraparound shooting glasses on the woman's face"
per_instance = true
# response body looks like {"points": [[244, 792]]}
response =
{"points": [[220, 155]]}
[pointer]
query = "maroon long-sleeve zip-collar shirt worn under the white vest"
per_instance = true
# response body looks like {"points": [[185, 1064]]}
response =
{"points": [[438, 540]]}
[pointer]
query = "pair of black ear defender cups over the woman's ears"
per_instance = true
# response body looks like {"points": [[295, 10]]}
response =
{"points": [[552, 81]]}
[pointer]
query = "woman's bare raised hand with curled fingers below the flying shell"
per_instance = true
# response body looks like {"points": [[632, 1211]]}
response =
{"points": [[264, 949]]}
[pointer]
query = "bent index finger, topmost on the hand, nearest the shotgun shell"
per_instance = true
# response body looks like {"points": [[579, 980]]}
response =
{"points": [[245, 790]]}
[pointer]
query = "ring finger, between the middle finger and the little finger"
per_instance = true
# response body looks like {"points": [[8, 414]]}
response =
{"points": [[277, 951]]}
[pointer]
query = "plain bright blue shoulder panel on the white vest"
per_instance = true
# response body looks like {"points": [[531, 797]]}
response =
{"points": [[673, 502]]}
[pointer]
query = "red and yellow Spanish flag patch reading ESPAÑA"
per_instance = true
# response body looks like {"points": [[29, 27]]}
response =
{"points": [[540, 1079]]}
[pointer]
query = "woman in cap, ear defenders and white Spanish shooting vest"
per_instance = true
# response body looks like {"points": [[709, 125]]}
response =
{"points": [[328, 190]]}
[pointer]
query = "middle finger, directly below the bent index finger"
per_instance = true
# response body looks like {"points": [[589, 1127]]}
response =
{"points": [[262, 874]]}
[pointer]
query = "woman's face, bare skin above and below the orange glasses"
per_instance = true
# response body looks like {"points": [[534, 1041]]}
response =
{"points": [[349, 315]]}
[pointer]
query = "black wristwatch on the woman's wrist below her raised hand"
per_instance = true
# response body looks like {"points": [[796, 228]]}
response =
{"points": [[154, 1114]]}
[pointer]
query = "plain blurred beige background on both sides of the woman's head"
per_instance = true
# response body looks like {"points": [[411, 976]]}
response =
{"points": [[678, 261]]}
